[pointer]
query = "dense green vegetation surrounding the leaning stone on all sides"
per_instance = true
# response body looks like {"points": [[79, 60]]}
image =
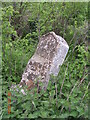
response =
{"points": [[22, 25]]}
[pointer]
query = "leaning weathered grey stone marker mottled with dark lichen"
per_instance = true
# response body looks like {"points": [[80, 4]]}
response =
{"points": [[50, 54]]}
